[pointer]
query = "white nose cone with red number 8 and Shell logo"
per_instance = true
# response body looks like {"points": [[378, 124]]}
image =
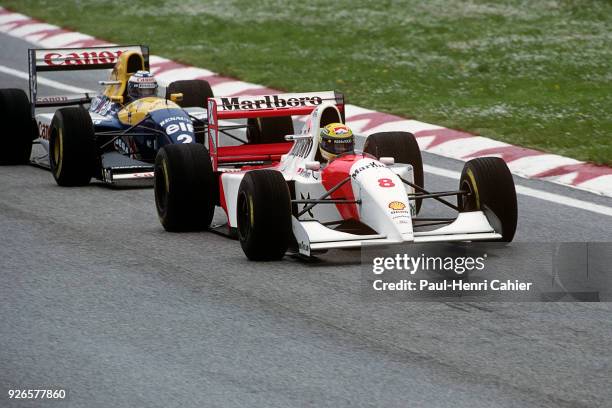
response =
{"points": [[384, 201]]}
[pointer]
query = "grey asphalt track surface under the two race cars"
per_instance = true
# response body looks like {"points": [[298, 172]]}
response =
{"points": [[96, 298]]}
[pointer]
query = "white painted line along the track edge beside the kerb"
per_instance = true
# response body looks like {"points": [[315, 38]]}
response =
{"points": [[522, 190]]}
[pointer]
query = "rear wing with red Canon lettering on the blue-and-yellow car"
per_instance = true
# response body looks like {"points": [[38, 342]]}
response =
{"points": [[73, 59]]}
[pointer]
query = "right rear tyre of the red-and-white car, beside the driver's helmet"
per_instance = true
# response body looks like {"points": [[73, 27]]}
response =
{"points": [[403, 147]]}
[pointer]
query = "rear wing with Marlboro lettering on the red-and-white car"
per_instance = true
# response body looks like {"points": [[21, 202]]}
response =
{"points": [[241, 107]]}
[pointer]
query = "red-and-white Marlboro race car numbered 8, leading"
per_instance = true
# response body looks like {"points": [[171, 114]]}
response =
{"points": [[282, 196]]}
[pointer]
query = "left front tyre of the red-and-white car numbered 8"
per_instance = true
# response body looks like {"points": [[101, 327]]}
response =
{"points": [[264, 215]]}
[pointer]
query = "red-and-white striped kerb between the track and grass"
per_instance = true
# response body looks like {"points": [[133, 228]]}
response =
{"points": [[442, 141]]}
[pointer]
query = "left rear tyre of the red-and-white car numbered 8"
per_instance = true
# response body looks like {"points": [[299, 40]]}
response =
{"points": [[184, 187]]}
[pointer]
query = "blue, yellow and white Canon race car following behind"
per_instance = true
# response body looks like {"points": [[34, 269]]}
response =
{"points": [[104, 136]]}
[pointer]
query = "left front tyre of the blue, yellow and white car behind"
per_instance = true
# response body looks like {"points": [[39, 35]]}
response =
{"points": [[72, 148]]}
